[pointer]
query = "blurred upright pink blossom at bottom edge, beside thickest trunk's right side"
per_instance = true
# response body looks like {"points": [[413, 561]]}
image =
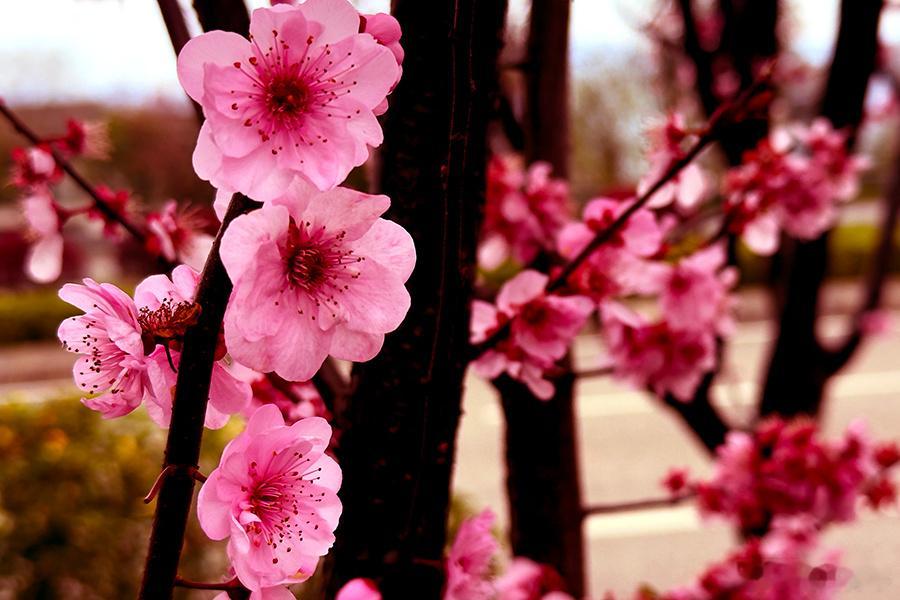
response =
{"points": [[469, 561]]}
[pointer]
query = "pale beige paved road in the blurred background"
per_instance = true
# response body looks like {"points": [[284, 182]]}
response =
{"points": [[628, 442]]}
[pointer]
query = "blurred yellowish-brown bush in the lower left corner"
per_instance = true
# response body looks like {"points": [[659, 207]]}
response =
{"points": [[72, 522]]}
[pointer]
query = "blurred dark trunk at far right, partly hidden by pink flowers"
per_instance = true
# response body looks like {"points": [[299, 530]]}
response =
{"points": [[800, 366]]}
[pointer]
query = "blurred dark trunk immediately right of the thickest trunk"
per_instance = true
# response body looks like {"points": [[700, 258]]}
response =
{"points": [[543, 481]]}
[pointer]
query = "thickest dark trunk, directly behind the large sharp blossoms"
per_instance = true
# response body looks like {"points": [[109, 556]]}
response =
{"points": [[398, 447]]}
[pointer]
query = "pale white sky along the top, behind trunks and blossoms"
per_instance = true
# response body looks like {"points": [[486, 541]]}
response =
{"points": [[118, 50]]}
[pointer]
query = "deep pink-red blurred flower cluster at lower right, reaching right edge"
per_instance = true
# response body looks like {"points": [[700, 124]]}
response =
{"points": [[785, 469]]}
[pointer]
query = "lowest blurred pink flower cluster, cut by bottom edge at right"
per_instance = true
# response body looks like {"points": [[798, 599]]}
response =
{"points": [[785, 563]]}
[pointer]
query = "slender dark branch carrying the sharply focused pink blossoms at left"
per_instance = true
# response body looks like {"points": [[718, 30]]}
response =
{"points": [[188, 413]]}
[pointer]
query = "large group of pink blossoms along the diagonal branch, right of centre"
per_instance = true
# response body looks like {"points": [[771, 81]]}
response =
{"points": [[668, 355]]}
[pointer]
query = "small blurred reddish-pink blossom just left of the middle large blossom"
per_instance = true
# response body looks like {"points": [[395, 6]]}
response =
{"points": [[176, 235]]}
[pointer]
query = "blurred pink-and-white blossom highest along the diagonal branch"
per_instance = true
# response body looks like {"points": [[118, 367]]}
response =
{"points": [[689, 187]]}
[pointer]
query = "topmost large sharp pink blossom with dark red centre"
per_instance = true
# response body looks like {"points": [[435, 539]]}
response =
{"points": [[297, 99]]}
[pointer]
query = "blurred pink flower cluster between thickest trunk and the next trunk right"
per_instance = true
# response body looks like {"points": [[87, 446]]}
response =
{"points": [[523, 212]]}
